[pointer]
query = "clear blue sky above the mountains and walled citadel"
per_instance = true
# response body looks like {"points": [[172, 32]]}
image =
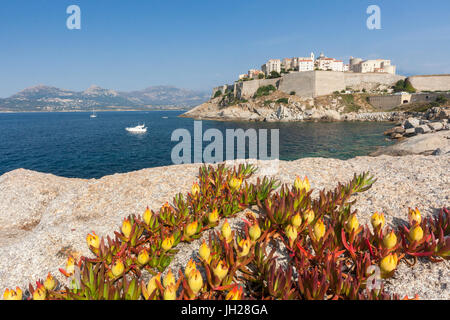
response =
{"points": [[198, 44]]}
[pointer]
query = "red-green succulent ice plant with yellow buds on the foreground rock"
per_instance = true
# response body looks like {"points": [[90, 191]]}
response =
{"points": [[329, 254]]}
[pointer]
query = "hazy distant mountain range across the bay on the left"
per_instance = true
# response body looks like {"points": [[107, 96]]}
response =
{"points": [[45, 98]]}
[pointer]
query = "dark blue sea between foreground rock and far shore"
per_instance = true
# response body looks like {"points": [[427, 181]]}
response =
{"points": [[75, 145]]}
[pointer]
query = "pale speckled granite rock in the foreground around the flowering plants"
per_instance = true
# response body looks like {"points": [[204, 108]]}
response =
{"points": [[44, 218]]}
